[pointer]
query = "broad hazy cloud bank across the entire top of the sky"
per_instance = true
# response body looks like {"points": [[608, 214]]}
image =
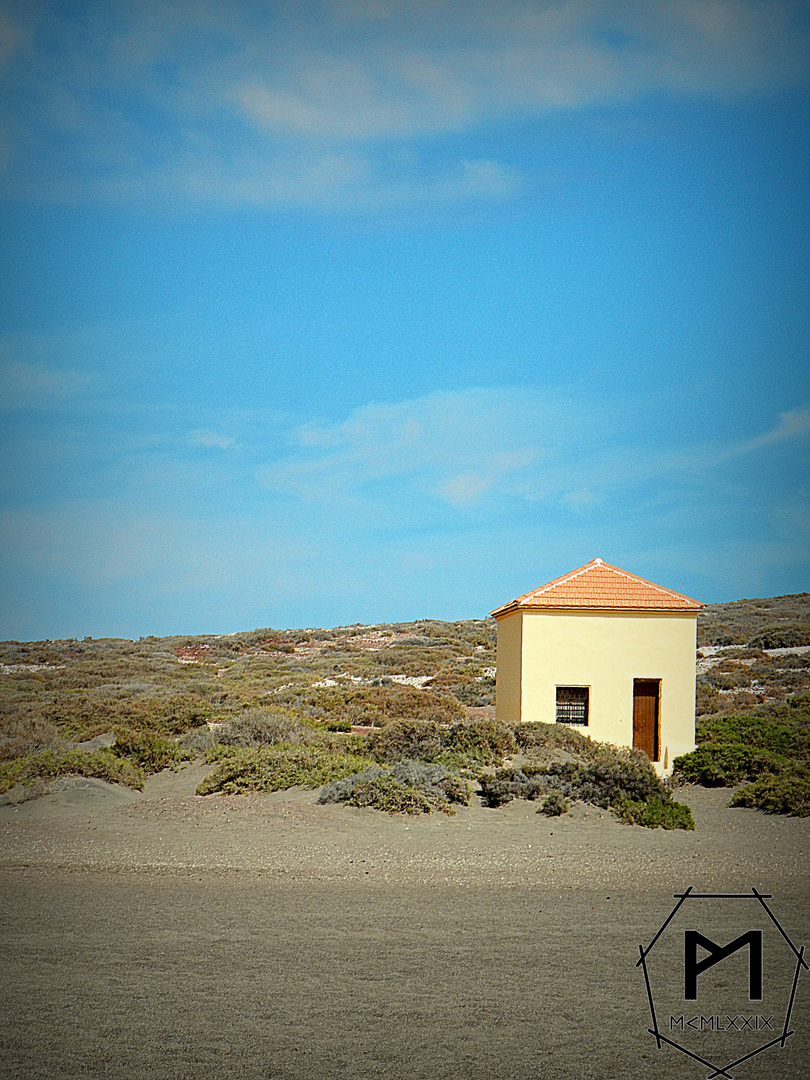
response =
{"points": [[289, 106]]}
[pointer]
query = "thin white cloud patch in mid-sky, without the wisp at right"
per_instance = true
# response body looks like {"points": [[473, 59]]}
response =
{"points": [[453, 448]]}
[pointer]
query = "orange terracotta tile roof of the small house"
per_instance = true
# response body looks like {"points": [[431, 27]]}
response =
{"points": [[597, 585]]}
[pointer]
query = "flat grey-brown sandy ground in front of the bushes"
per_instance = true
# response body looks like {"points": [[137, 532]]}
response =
{"points": [[160, 935]]}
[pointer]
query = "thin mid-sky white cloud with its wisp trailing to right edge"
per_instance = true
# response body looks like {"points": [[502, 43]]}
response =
{"points": [[467, 449]]}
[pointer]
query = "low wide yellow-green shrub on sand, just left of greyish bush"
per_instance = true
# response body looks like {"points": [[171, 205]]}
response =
{"points": [[276, 768]]}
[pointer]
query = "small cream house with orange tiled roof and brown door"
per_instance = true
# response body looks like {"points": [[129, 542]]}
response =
{"points": [[606, 652]]}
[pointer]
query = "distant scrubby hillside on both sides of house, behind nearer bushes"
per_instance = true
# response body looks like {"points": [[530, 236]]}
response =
{"points": [[78, 690]]}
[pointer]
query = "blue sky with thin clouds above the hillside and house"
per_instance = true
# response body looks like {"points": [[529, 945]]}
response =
{"points": [[371, 312]]}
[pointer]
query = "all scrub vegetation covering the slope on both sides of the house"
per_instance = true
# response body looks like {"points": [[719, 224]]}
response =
{"points": [[399, 718]]}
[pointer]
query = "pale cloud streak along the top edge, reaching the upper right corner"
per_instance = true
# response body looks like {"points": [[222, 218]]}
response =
{"points": [[447, 67]]}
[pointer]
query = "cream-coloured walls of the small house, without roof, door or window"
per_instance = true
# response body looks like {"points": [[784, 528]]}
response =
{"points": [[605, 652]]}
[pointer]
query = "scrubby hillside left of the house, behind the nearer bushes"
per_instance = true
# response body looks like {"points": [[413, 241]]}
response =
{"points": [[77, 691]]}
